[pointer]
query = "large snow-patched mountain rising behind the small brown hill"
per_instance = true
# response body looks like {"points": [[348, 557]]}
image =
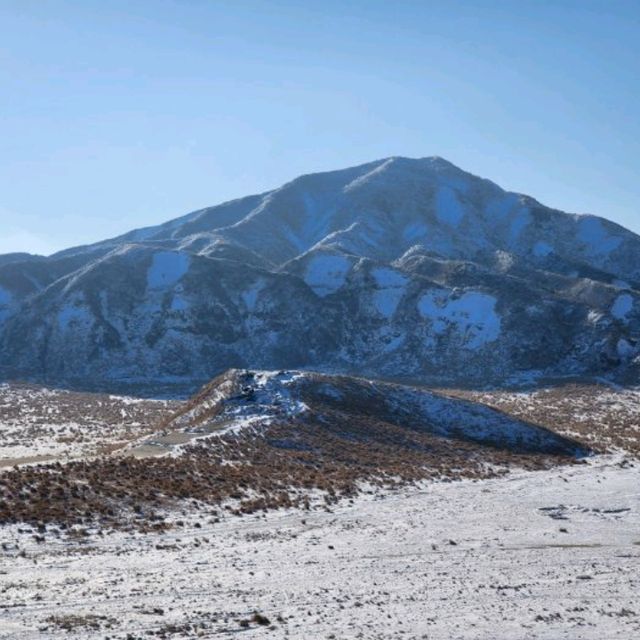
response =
{"points": [[401, 268]]}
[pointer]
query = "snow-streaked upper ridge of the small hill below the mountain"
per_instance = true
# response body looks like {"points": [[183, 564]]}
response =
{"points": [[241, 400]]}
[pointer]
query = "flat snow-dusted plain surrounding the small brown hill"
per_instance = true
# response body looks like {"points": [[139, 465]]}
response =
{"points": [[550, 554]]}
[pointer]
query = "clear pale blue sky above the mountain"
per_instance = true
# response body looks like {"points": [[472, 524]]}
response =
{"points": [[118, 114]]}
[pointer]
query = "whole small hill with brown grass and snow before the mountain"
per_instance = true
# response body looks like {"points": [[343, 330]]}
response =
{"points": [[252, 441]]}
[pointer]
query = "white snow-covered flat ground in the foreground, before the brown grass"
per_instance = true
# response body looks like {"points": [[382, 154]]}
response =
{"points": [[552, 554]]}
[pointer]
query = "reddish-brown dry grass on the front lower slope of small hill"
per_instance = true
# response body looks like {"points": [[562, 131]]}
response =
{"points": [[275, 468]]}
